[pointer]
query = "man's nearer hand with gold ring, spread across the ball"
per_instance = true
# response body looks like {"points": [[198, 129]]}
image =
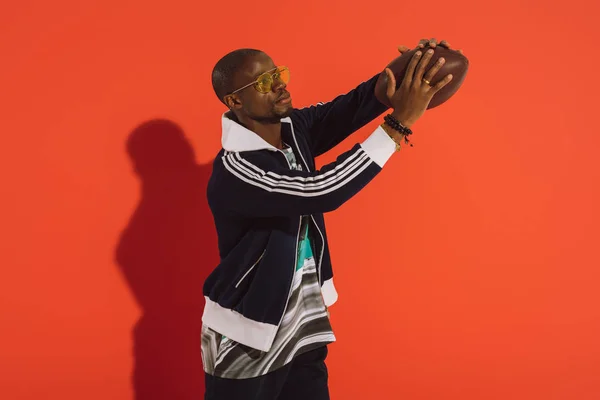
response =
{"points": [[414, 94]]}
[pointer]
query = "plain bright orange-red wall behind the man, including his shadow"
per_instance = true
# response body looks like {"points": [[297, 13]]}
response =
{"points": [[480, 243]]}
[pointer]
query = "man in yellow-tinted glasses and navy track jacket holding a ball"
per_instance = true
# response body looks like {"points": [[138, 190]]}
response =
{"points": [[266, 322]]}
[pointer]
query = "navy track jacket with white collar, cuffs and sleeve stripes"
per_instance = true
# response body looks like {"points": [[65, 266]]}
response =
{"points": [[258, 202]]}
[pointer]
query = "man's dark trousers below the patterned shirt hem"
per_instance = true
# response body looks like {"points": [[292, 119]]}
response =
{"points": [[305, 378]]}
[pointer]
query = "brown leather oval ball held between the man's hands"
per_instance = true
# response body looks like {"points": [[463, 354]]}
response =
{"points": [[456, 64]]}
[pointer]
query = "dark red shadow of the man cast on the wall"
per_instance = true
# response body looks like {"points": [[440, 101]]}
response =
{"points": [[165, 253]]}
